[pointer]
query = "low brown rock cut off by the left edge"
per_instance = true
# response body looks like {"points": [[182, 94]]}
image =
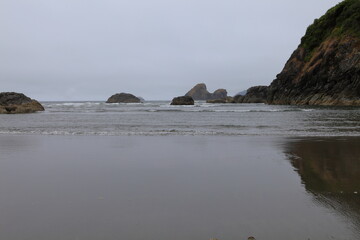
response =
{"points": [[11, 102]]}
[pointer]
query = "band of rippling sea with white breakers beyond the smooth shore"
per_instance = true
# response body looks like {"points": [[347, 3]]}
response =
{"points": [[160, 118]]}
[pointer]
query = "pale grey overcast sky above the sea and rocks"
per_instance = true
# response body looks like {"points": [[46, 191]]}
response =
{"points": [[156, 49]]}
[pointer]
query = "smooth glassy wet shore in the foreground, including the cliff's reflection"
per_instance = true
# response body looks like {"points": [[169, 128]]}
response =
{"points": [[178, 187]]}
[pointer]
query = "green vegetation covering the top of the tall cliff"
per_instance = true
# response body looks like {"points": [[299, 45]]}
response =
{"points": [[341, 20]]}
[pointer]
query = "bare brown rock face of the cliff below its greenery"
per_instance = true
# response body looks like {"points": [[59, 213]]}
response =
{"points": [[331, 77]]}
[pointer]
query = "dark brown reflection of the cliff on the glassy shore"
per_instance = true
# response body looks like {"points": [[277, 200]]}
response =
{"points": [[330, 170]]}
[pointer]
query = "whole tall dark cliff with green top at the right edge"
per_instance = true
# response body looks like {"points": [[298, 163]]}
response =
{"points": [[325, 68]]}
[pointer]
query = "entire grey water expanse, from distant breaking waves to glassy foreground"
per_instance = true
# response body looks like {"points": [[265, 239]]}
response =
{"points": [[97, 171]]}
